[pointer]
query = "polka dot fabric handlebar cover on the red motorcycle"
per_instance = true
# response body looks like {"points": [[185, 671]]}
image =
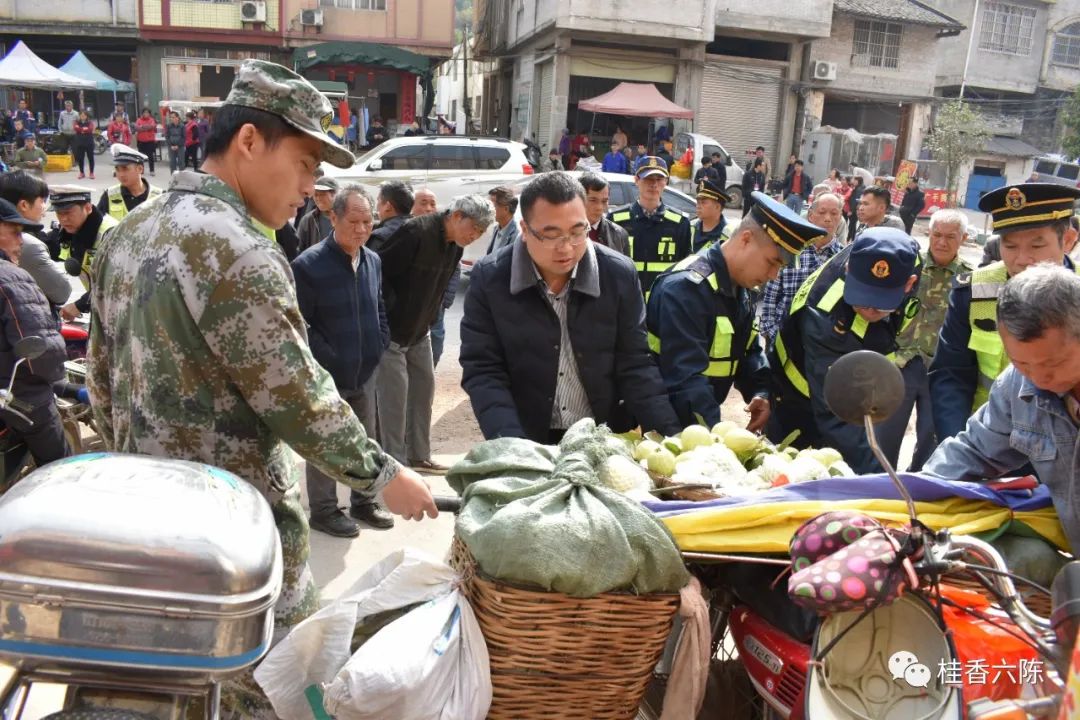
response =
{"points": [[845, 561]]}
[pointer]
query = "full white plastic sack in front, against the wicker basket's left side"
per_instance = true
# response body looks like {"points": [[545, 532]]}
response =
{"points": [[430, 664]]}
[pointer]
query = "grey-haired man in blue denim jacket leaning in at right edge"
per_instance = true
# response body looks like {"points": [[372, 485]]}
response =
{"points": [[1034, 410]]}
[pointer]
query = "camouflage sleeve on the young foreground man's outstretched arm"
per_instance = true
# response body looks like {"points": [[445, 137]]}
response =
{"points": [[253, 324]]}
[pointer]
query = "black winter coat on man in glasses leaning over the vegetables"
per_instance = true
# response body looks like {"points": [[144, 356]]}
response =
{"points": [[510, 348]]}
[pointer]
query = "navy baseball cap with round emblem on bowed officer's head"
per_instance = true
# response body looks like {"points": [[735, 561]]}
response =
{"points": [[882, 262]]}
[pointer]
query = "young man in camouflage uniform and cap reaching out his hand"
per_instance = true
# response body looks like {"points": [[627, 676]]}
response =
{"points": [[199, 350]]}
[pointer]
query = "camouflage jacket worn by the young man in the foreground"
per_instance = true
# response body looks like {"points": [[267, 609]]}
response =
{"points": [[198, 349]]}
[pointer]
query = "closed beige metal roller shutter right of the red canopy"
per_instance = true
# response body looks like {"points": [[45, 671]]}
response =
{"points": [[740, 106]]}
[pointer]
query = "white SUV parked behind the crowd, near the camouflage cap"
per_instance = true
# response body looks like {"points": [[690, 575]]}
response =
{"points": [[450, 166]]}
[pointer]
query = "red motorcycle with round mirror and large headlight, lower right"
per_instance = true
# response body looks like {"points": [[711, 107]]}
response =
{"points": [[842, 663]]}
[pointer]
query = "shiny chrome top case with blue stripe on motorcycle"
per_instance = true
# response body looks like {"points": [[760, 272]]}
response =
{"points": [[140, 563]]}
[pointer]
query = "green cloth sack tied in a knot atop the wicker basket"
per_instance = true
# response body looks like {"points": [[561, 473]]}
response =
{"points": [[564, 533]]}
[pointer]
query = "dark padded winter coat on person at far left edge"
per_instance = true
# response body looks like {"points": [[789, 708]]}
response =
{"points": [[25, 311]]}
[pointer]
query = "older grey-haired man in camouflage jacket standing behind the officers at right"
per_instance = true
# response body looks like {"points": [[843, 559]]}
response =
{"points": [[917, 344]]}
